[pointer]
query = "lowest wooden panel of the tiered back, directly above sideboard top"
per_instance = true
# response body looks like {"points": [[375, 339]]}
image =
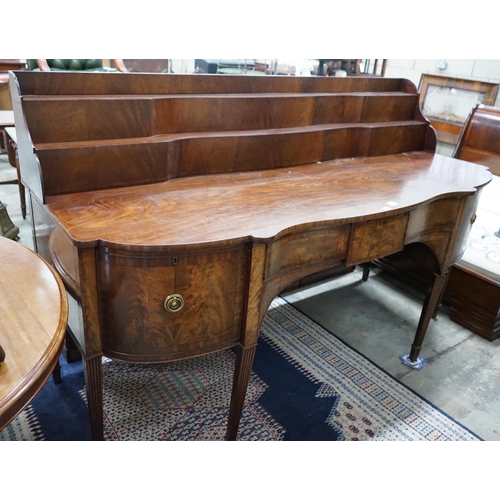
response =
{"points": [[120, 165]]}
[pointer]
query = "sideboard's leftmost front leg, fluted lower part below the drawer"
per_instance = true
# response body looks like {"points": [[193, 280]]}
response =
{"points": [[93, 386]]}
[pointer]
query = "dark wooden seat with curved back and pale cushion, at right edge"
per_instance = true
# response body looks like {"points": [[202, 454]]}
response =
{"points": [[473, 288]]}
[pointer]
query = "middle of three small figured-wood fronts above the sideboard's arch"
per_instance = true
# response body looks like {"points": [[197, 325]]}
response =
{"points": [[375, 239]]}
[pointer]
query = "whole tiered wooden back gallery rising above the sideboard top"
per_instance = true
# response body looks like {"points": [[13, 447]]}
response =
{"points": [[92, 132]]}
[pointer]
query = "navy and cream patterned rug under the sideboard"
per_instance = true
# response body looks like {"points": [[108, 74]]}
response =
{"points": [[306, 384]]}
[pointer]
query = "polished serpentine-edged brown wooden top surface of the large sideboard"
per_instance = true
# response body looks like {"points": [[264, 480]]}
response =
{"points": [[263, 204]]}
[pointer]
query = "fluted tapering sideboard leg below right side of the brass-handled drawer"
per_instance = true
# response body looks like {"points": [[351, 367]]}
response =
{"points": [[243, 368]]}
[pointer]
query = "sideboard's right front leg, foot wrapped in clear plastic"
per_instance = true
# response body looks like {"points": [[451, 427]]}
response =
{"points": [[432, 297]]}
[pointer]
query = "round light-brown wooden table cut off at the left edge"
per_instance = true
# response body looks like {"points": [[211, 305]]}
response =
{"points": [[33, 318]]}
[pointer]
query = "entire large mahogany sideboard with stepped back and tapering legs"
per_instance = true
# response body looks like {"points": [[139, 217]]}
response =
{"points": [[188, 202]]}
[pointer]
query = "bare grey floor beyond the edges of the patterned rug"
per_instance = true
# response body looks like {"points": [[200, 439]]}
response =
{"points": [[378, 318]]}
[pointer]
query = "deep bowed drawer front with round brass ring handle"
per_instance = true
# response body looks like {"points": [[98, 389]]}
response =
{"points": [[133, 289]]}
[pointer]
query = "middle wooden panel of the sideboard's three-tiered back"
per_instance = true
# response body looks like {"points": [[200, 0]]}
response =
{"points": [[102, 118]]}
